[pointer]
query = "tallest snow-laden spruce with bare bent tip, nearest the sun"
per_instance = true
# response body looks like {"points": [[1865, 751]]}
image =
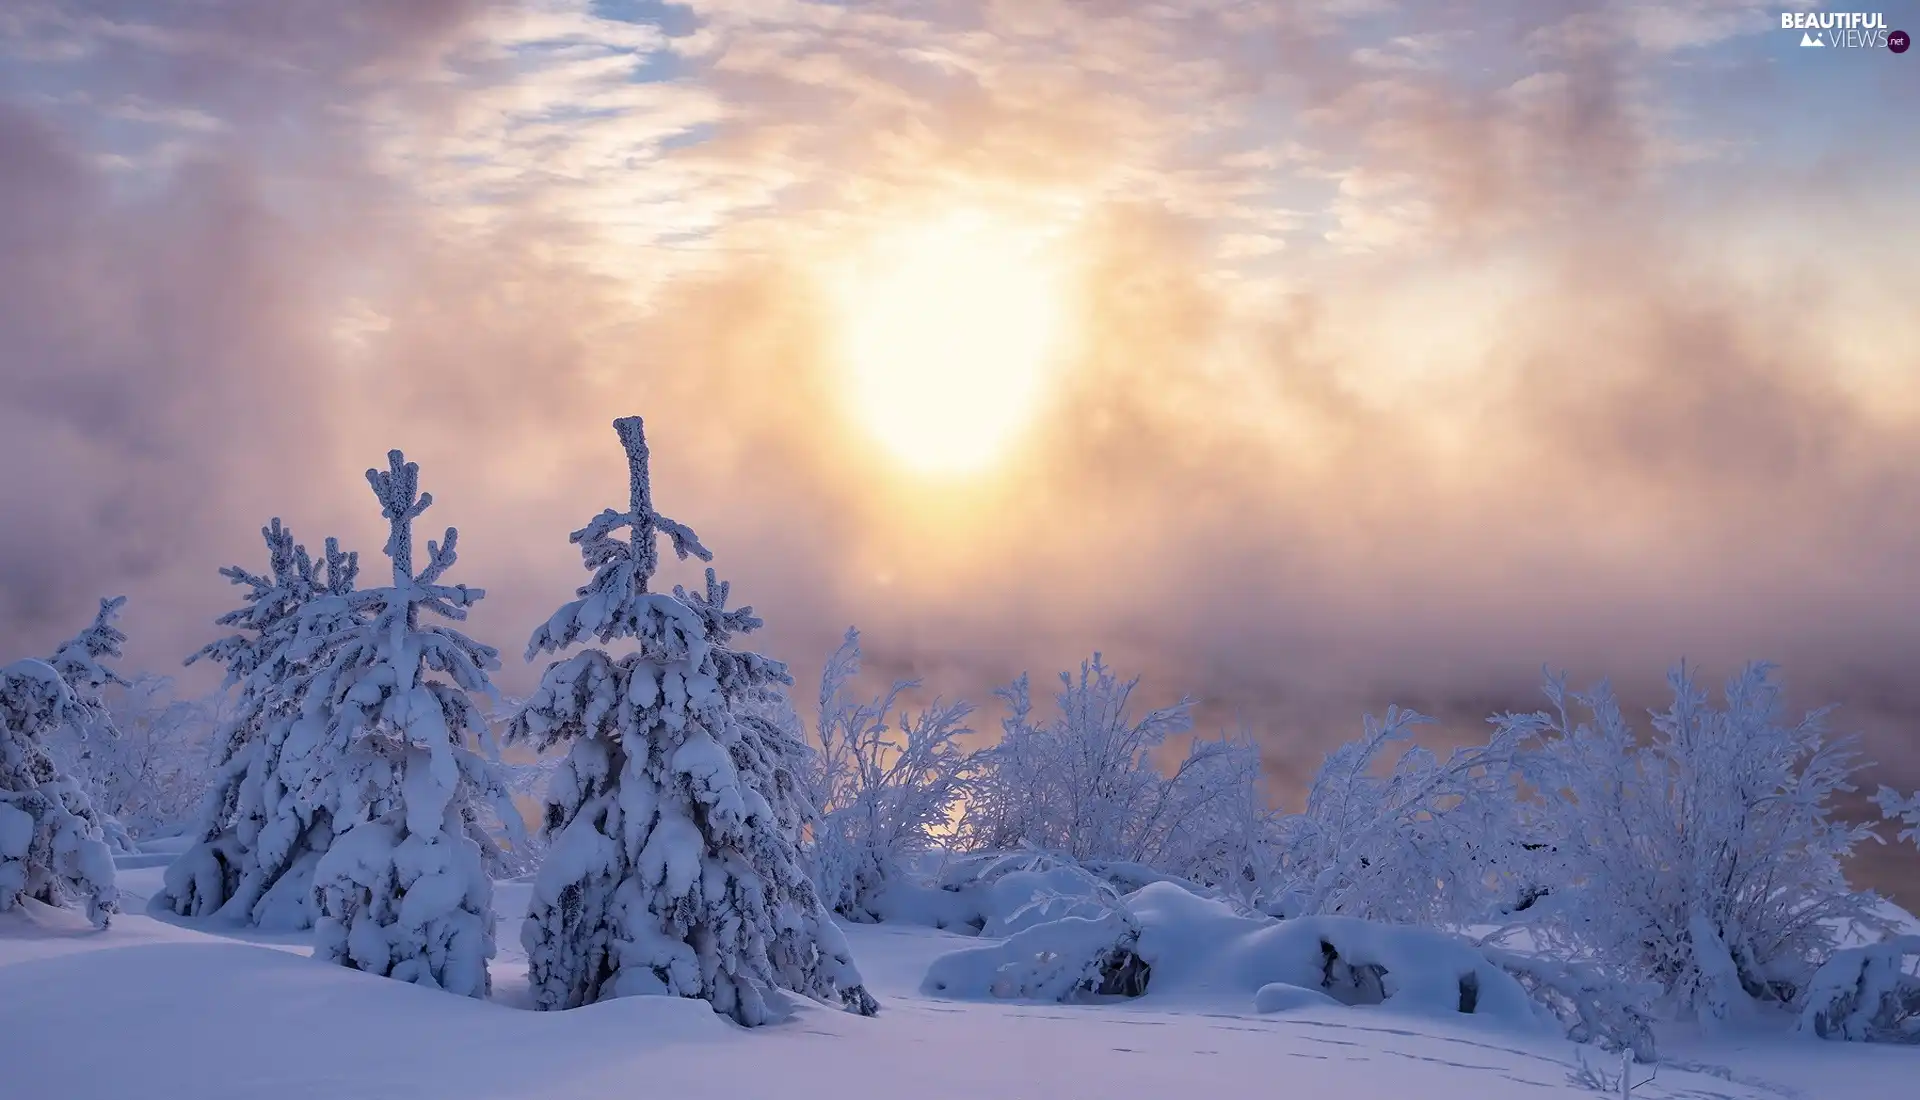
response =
{"points": [[673, 865]]}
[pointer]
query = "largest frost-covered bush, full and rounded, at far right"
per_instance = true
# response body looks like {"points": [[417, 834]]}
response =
{"points": [[1704, 859]]}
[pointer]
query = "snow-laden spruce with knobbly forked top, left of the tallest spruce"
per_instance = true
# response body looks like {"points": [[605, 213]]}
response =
{"points": [[383, 744]]}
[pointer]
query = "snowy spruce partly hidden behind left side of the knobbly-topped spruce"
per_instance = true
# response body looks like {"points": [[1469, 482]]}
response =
{"points": [[258, 842]]}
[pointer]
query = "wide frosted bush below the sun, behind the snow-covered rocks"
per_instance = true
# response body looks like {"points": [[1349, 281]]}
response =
{"points": [[1086, 784]]}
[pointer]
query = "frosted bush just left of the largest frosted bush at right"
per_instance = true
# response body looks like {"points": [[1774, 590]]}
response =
{"points": [[1431, 842]]}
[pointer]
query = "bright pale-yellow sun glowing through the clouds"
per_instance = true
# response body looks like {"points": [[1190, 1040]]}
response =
{"points": [[949, 339]]}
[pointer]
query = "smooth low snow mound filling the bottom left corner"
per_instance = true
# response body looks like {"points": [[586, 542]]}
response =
{"points": [[268, 1015]]}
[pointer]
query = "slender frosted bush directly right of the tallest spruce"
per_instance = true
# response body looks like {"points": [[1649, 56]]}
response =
{"points": [[884, 790]]}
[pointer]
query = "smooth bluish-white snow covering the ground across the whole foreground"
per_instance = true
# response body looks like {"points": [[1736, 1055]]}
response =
{"points": [[156, 1009]]}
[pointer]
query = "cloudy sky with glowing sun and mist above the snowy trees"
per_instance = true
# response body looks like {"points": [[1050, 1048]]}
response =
{"points": [[1305, 356]]}
